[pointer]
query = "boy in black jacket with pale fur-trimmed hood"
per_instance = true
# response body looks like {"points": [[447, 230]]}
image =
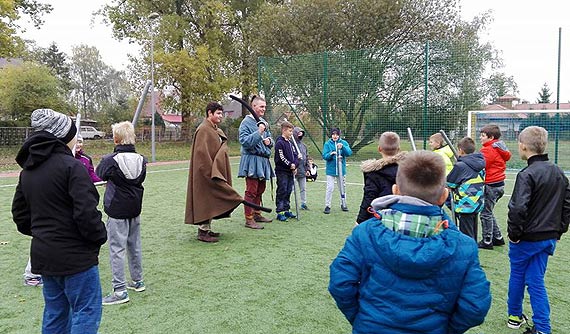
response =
{"points": [[380, 174]]}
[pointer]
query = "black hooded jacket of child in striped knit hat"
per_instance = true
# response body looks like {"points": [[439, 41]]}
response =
{"points": [[56, 203]]}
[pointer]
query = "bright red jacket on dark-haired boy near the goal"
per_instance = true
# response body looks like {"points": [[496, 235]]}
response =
{"points": [[496, 156]]}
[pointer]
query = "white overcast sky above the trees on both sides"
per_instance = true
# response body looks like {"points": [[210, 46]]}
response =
{"points": [[526, 33]]}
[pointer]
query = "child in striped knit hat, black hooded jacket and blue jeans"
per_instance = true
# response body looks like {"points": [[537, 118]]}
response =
{"points": [[56, 203]]}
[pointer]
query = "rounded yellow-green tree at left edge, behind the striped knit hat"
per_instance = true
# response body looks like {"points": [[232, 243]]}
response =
{"points": [[27, 87]]}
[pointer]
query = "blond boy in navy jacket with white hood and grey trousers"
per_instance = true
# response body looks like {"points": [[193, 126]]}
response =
{"points": [[125, 171]]}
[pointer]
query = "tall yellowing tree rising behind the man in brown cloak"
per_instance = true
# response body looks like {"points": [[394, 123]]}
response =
{"points": [[204, 40]]}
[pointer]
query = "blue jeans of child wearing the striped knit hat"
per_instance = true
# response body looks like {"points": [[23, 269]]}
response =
{"points": [[72, 303]]}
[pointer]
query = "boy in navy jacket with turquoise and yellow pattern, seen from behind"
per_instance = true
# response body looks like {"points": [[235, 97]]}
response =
{"points": [[467, 183]]}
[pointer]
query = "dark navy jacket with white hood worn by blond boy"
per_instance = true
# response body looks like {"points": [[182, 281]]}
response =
{"points": [[125, 171]]}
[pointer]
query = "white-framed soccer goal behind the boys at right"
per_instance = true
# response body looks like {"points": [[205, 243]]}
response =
{"points": [[511, 122]]}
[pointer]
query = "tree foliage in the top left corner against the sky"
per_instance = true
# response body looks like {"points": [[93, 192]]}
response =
{"points": [[11, 11]]}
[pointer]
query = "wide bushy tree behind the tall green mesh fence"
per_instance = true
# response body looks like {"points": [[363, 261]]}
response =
{"points": [[382, 78]]}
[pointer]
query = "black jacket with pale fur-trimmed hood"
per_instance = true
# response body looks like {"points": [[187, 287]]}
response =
{"points": [[379, 177]]}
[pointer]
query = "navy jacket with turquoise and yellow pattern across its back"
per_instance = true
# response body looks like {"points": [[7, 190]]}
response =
{"points": [[467, 183]]}
